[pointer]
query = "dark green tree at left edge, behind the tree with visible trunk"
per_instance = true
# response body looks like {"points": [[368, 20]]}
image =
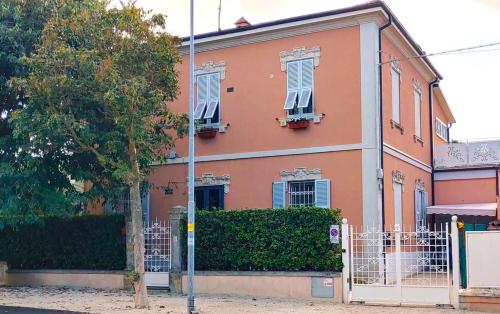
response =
{"points": [[32, 182]]}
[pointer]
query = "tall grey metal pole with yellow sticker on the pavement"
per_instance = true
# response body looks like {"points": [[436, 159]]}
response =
{"points": [[191, 306]]}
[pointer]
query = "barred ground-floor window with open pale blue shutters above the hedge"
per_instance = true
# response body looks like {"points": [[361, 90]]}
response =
{"points": [[302, 193]]}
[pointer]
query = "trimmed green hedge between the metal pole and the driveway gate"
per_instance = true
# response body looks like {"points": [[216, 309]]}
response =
{"points": [[294, 239]]}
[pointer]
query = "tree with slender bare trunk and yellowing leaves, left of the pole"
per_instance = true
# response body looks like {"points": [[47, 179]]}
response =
{"points": [[100, 79]]}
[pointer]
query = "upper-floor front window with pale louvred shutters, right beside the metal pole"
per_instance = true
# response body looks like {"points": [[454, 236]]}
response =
{"points": [[207, 110]]}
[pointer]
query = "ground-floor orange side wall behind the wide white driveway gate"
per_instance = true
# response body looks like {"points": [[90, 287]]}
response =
{"points": [[411, 174]]}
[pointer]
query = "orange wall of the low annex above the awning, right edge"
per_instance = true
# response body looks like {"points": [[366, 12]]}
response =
{"points": [[466, 191]]}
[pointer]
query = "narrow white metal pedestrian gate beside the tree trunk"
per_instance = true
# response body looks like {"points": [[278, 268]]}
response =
{"points": [[157, 253]]}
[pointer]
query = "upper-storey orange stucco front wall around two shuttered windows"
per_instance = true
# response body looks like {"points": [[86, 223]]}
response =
{"points": [[254, 71]]}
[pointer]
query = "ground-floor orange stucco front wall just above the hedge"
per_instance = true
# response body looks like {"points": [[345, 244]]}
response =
{"points": [[251, 181]]}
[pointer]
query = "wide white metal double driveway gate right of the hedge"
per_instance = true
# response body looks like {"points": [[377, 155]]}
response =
{"points": [[398, 266]]}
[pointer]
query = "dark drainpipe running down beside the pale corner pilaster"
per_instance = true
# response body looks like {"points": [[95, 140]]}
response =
{"points": [[381, 113]]}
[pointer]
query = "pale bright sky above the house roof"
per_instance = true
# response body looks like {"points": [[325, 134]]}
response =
{"points": [[471, 80]]}
